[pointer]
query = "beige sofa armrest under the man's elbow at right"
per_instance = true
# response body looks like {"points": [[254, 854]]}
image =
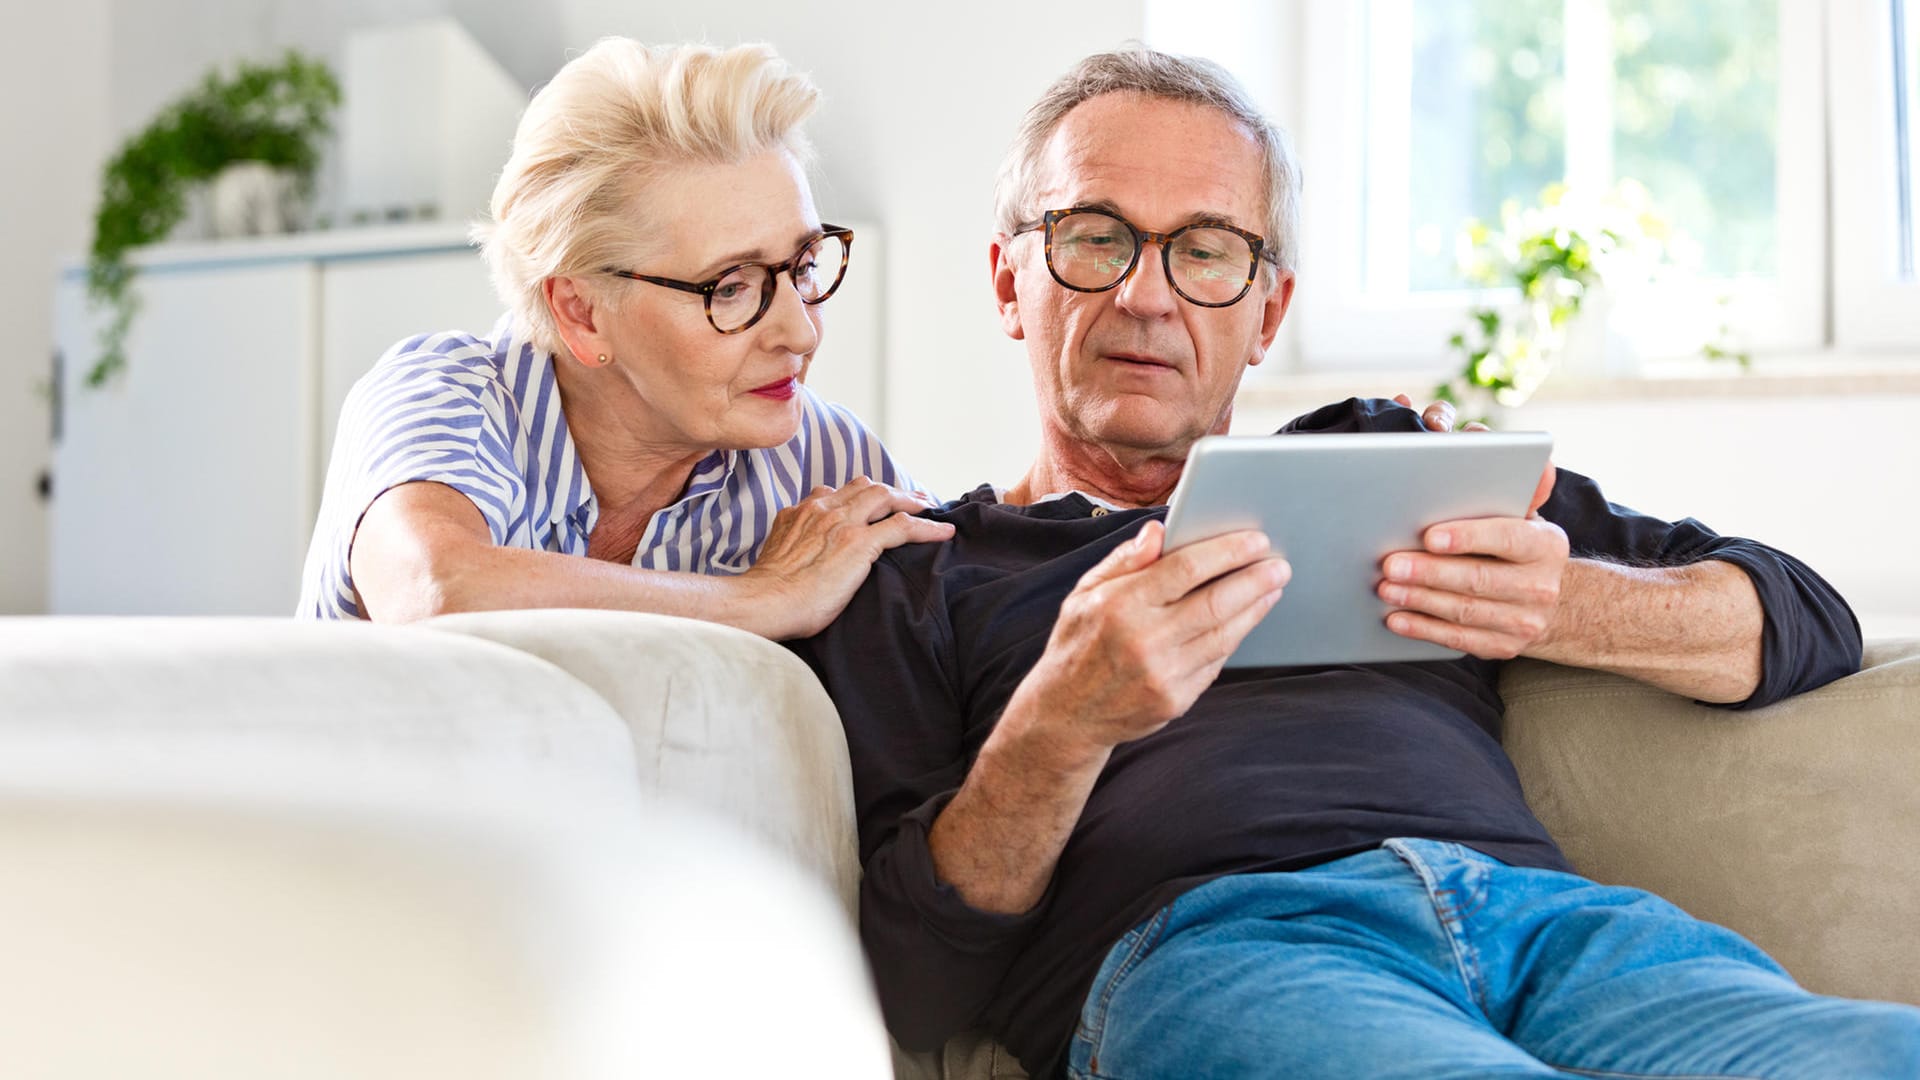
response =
{"points": [[1798, 825]]}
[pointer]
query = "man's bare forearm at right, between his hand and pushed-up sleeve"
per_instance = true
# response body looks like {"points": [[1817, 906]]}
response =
{"points": [[1691, 629]]}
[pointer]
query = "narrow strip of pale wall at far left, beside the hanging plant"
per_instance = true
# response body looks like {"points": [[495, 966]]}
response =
{"points": [[53, 141]]}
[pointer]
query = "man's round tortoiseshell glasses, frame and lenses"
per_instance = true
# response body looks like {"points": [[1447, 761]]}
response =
{"points": [[1093, 251]]}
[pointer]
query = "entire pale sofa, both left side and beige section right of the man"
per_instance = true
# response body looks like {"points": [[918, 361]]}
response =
{"points": [[598, 845]]}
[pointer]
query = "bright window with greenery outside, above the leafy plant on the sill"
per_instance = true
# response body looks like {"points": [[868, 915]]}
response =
{"points": [[1422, 114]]}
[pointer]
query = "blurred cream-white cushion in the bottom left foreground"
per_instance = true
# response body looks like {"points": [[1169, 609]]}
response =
{"points": [[477, 939]]}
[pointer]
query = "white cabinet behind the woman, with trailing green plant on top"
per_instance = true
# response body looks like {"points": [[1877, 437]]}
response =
{"points": [[189, 485]]}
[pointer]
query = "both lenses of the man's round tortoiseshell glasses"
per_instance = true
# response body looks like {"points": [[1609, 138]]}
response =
{"points": [[1093, 251]]}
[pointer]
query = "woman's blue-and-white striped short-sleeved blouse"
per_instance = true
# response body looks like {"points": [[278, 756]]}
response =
{"points": [[483, 416]]}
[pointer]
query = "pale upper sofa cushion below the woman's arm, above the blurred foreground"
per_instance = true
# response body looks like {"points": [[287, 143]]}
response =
{"points": [[181, 704]]}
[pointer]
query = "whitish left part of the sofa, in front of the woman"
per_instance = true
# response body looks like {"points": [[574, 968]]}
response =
{"points": [[237, 848]]}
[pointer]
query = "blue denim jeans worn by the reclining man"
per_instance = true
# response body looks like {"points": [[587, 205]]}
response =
{"points": [[1428, 962]]}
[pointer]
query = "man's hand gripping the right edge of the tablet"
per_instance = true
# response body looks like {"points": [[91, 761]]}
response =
{"points": [[1487, 587]]}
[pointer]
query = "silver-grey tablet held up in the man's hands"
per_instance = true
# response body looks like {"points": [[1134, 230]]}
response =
{"points": [[1335, 506]]}
